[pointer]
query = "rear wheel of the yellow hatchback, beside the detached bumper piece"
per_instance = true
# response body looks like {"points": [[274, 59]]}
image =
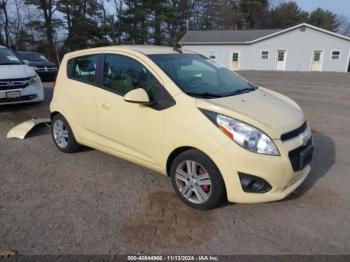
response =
{"points": [[62, 135]]}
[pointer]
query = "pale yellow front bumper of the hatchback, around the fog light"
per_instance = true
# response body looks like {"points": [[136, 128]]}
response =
{"points": [[276, 170]]}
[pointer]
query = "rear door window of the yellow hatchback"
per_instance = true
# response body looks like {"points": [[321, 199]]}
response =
{"points": [[83, 68]]}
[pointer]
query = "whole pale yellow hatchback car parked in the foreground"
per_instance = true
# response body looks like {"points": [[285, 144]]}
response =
{"points": [[186, 116]]}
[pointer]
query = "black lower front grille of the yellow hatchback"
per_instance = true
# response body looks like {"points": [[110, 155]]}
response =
{"points": [[302, 156]]}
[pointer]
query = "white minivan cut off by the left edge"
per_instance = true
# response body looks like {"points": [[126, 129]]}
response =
{"points": [[19, 83]]}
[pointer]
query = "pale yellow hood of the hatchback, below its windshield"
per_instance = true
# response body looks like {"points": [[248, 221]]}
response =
{"points": [[267, 110]]}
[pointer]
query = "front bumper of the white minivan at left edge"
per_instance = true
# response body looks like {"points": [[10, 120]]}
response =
{"points": [[30, 94]]}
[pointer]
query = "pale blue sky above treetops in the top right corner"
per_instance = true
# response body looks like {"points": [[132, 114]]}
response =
{"points": [[340, 7]]}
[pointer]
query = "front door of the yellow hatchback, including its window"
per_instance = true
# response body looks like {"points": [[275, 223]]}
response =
{"points": [[131, 129]]}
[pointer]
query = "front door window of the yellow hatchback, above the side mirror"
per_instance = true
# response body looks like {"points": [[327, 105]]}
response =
{"points": [[123, 74]]}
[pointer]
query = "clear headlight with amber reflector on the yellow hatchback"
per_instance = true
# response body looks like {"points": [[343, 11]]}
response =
{"points": [[246, 136]]}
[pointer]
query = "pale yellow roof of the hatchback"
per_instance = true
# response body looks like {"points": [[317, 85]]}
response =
{"points": [[144, 49]]}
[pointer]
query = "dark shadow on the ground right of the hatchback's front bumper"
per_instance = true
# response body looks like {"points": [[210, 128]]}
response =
{"points": [[323, 160]]}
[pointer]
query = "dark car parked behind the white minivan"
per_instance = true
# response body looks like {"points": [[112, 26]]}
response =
{"points": [[44, 68]]}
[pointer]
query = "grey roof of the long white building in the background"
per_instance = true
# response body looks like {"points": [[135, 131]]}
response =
{"points": [[243, 36]]}
